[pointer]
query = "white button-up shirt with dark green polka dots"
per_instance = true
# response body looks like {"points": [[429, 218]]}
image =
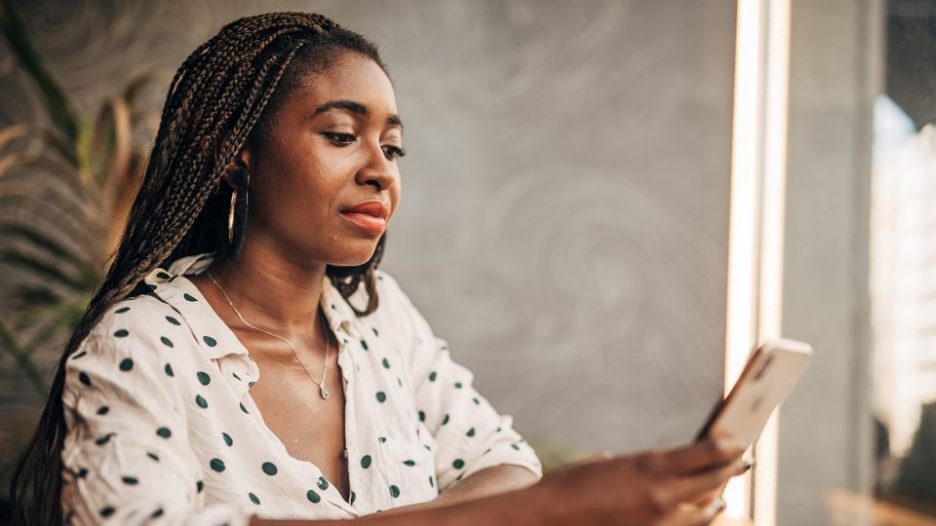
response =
{"points": [[162, 427]]}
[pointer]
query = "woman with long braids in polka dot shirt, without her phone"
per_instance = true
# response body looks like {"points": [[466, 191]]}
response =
{"points": [[244, 361]]}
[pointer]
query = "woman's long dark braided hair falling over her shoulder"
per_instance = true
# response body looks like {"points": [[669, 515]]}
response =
{"points": [[219, 101]]}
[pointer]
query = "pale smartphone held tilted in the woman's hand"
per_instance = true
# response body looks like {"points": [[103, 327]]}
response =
{"points": [[768, 377]]}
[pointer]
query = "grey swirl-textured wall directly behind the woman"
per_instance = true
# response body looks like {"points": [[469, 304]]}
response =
{"points": [[564, 220]]}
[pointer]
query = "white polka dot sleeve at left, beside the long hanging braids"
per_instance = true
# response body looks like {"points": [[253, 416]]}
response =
{"points": [[126, 457]]}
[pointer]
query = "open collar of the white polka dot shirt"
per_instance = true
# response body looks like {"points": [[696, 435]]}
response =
{"points": [[218, 340]]}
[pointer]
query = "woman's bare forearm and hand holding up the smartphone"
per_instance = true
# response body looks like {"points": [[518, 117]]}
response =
{"points": [[656, 487]]}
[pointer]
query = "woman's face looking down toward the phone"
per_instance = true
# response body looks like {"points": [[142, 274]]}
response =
{"points": [[332, 146]]}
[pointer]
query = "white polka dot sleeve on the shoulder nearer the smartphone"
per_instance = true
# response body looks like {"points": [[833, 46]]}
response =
{"points": [[470, 434]]}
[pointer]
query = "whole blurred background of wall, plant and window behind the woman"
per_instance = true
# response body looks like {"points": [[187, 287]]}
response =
{"points": [[586, 184]]}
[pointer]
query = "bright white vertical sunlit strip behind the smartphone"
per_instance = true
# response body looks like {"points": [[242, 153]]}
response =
{"points": [[755, 267]]}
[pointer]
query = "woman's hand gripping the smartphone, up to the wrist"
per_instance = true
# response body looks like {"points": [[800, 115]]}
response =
{"points": [[668, 488]]}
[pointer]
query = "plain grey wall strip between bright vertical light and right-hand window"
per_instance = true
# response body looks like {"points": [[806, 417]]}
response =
{"points": [[825, 427]]}
